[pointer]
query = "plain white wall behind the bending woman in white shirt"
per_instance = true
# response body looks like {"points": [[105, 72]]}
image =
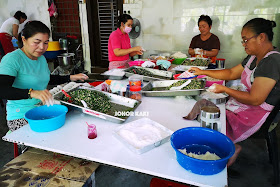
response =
{"points": [[34, 9]]}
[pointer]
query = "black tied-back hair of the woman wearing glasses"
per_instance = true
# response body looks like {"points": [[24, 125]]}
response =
{"points": [[261, 25]]}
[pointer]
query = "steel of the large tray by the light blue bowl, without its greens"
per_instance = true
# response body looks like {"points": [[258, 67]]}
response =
{"points": [[120, 103]]}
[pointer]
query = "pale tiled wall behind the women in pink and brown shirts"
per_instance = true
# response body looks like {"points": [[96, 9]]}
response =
{"points": [[169, 25]]}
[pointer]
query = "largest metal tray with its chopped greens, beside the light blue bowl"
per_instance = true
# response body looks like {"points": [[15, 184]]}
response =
{"points": [[104, 105]]}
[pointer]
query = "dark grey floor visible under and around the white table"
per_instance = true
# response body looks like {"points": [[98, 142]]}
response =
{"points": [[253, 165]]}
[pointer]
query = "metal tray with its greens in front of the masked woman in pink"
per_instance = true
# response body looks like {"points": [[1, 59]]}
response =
{"points": [[148, 73]]}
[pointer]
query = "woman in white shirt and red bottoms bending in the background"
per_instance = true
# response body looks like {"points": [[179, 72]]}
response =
{"points": [[9, 29]]}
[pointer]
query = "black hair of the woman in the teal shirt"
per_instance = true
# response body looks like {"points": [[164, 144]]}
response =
{"points": [[30, 29]]}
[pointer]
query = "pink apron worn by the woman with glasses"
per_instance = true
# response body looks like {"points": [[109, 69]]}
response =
{"points": [[244, 120]]}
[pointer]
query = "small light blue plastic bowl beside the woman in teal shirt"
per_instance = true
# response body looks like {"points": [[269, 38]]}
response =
{"points": [[46, 119]]}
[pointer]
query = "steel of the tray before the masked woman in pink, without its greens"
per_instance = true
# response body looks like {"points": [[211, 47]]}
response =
{"points": [[161, 75]]}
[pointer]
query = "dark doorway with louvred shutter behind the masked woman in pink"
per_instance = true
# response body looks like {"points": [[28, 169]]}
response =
{"points": [[102, 21]]}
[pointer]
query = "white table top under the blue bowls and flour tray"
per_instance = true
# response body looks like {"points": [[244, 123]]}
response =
{"points": [[71, 139]]}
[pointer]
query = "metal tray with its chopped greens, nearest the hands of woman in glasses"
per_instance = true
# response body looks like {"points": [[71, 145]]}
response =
{"points": [[161, 88]]}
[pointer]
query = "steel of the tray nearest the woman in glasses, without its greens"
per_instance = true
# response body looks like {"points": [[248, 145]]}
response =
{"points": [[148, 89]]}
